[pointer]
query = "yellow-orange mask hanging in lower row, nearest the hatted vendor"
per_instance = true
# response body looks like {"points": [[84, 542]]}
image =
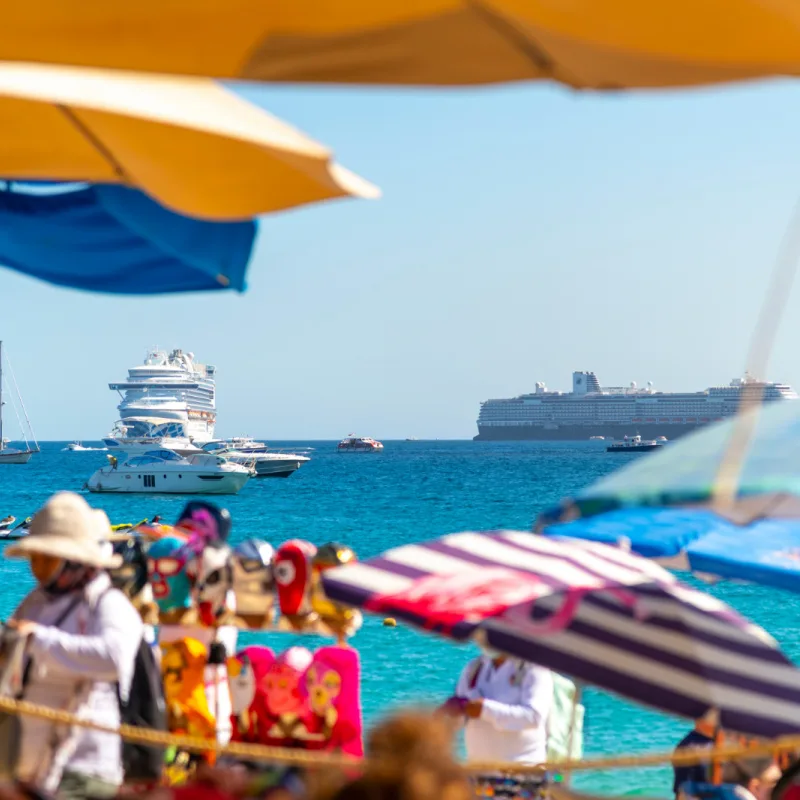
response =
{"points": [[183, 665]]}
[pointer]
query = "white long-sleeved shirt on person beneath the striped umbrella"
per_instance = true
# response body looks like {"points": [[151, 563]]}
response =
{"points": [[517, 698]]}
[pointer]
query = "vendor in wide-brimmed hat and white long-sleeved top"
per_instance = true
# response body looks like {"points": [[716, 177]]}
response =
{"points": [[83, 640]]}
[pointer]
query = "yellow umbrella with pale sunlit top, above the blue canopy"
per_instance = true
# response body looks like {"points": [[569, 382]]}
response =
{"points": [[187, 142]]}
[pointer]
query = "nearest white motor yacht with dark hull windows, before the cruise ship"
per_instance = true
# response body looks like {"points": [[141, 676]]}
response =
{"points": [[165, 472]]}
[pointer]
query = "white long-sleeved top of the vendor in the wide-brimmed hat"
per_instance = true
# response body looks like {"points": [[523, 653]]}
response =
{"points": [[77, 667]]}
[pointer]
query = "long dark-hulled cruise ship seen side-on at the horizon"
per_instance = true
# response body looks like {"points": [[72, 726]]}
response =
{"points": [[590, 410]]}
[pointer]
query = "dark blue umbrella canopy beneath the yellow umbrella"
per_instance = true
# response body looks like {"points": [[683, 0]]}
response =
{"points": [[113, 239]]}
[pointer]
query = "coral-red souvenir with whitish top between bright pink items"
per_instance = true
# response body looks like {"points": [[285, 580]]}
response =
{"points": [[285, 699]]}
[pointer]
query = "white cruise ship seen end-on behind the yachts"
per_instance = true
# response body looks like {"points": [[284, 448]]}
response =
{"points": [[169, 395]]}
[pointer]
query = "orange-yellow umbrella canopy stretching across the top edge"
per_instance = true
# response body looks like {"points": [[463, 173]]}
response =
{"points": [[583, 43]]}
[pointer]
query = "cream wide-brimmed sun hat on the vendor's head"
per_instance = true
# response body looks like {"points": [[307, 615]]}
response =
{"points": [[68, 527]]}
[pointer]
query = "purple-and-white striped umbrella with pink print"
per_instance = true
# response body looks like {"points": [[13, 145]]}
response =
{"points": [[596, 613]]}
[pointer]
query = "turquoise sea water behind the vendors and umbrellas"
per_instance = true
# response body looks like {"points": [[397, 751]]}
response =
{"points": [[410, 492]]}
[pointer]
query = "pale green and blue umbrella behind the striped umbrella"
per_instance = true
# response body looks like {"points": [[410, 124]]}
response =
{"points": [[663, 505]]}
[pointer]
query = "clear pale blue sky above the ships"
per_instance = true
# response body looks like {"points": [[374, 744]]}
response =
{"points": [[524, 232]]}
